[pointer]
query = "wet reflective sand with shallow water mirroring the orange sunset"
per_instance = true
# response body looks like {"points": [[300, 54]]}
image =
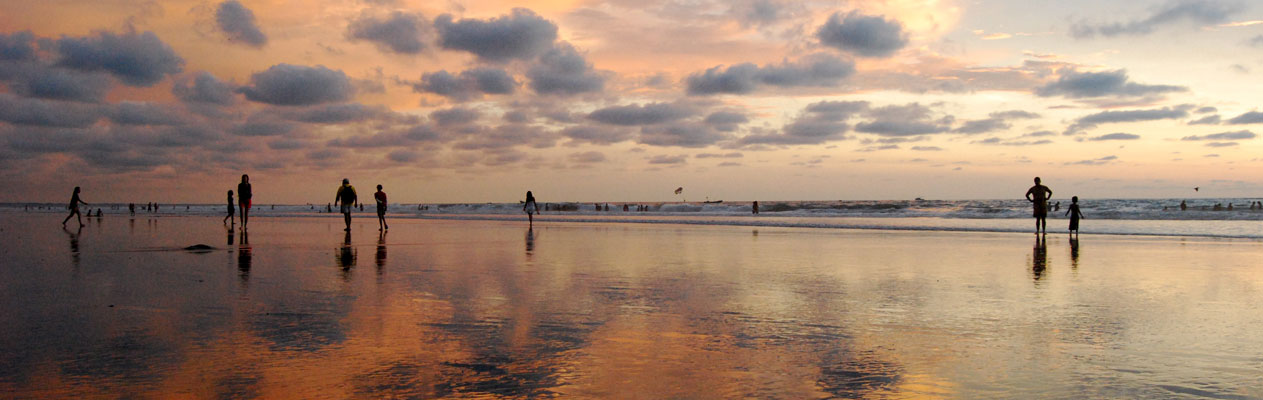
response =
{"points": [[488, 309]]}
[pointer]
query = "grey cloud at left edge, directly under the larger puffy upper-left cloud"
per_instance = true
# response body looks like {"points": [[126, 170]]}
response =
{"points": [[33, 80]]}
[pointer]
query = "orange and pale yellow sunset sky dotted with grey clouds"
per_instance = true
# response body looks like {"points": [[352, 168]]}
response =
{"points": [[621, 100]]}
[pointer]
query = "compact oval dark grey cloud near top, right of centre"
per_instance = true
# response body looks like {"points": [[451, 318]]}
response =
{"points": [[863, 35]]}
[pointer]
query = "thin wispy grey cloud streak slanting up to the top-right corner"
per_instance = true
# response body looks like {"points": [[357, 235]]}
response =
{"points": [[1197, 13]]}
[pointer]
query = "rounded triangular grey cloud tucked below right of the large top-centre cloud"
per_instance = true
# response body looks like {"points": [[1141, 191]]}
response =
{"points": [[564, 71]]}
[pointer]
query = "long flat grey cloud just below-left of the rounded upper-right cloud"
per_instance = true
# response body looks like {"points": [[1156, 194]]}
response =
{"points": [[817, 71]]}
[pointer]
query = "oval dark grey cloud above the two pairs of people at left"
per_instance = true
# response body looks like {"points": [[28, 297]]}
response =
{"points": [[287, 85]]}
